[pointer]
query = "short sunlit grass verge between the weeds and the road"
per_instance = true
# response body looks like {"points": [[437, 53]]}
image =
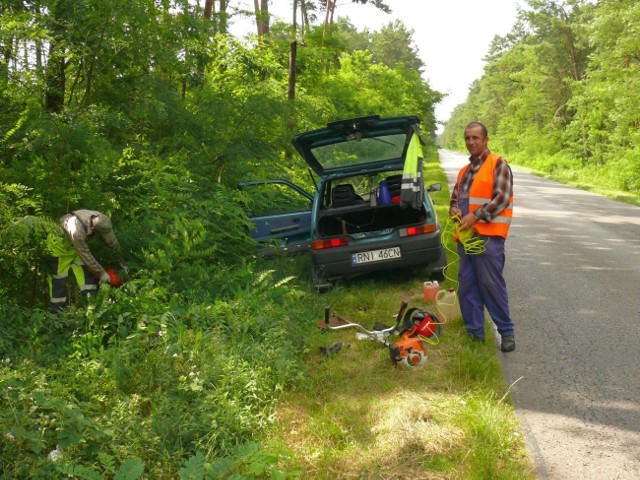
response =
{"points": [[358, 416]]}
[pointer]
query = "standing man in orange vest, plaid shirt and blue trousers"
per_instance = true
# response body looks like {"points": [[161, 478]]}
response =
{"points": [[482, 201]]}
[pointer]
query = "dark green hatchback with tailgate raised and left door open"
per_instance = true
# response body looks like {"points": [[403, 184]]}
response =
{"points": [[370, 210]]}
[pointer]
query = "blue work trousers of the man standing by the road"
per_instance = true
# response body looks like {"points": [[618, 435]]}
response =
{"points": [[482, 285]]}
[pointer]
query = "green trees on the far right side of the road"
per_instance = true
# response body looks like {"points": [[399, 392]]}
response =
{"points": [[560, 93]]}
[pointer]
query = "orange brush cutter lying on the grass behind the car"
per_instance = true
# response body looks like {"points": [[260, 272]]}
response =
{"points": [[413, 326]]}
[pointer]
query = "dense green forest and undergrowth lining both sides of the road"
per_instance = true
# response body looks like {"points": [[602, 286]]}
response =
{"points": [[151, 112]]}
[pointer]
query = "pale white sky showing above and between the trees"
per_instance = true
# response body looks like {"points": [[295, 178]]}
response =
{"points": [[452, 36]]}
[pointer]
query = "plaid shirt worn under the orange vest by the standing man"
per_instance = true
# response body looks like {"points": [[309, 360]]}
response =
{"points": [[502, 186]]}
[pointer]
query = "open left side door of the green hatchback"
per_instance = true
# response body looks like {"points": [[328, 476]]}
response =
{"points": [[281, 215]]}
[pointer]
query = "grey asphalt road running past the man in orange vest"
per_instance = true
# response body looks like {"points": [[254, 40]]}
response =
{"points": [[573, 273]]}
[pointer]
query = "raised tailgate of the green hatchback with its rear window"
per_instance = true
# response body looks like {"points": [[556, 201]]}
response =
{"points": [[358, 145]]}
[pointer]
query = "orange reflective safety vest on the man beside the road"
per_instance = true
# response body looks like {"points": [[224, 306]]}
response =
{"points": [[481, 193]]}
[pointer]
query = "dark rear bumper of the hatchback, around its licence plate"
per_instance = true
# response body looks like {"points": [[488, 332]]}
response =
{"points": [[421, 250]]}
